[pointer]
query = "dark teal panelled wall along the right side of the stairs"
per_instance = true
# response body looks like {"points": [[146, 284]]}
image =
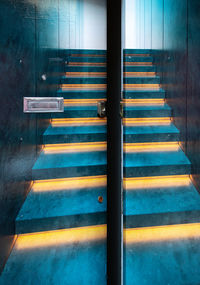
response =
{"points": [[181, 70]]}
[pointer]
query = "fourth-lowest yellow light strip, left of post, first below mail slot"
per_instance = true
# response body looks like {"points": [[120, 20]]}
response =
{"points": [[68, 122]]}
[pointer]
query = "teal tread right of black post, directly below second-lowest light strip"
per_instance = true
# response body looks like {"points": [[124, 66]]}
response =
{"points": [[161, 200]]}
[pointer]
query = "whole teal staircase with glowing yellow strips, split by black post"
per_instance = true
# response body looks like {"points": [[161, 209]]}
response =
{"points": [[61, 228]]}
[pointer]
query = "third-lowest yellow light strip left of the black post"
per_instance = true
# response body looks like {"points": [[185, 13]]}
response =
{"points": [[75, 147]]}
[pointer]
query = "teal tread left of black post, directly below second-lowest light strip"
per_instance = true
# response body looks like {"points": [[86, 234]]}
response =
{"points": [[66, 202]]}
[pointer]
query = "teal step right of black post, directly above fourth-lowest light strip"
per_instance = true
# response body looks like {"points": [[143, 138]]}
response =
{"points": [[147, 111]]}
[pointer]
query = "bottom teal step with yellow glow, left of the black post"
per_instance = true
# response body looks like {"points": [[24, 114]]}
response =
{"points": [[66, 261]]}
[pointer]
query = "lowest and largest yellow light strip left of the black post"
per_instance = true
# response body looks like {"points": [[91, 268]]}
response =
{"points": [[61, 237]]}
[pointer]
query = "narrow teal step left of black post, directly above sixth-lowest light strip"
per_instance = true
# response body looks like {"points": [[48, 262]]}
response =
{"points": [[83, 80]]}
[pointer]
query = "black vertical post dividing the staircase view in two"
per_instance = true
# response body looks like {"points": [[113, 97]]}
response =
{"points": [[114, 136]]}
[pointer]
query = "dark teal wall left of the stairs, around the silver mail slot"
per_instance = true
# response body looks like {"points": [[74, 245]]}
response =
{"points": [[28, 42]]}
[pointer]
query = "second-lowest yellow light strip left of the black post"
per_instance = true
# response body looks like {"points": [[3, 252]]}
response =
{"points": [[89, 182]]}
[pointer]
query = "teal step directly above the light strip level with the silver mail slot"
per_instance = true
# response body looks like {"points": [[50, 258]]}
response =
{"points": [[82, 94]]}
